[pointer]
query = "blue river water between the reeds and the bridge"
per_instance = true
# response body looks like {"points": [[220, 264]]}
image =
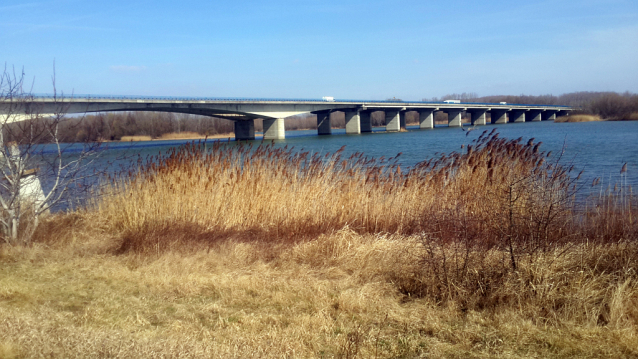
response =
{"points": [[598, 148]]}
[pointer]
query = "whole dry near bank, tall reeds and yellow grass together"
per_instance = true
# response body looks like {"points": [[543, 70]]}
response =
{"points": [[272, 252]]}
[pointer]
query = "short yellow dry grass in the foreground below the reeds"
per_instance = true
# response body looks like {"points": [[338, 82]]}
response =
{"points": [[336, 296]]}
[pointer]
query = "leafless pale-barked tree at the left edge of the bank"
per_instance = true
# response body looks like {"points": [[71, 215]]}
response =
{"points": [[32, 157]]}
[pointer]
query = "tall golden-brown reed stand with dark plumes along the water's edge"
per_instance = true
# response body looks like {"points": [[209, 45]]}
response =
{"points": [[503, 191]]}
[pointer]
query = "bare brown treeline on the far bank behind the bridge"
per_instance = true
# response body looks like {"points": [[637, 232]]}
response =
{"points": [[114, 125]]}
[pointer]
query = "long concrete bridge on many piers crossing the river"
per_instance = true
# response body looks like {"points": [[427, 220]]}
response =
{"points": [[243, 112]]}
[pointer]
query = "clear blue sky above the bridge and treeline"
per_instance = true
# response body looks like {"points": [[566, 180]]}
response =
{"points": [[308, 49]]}
